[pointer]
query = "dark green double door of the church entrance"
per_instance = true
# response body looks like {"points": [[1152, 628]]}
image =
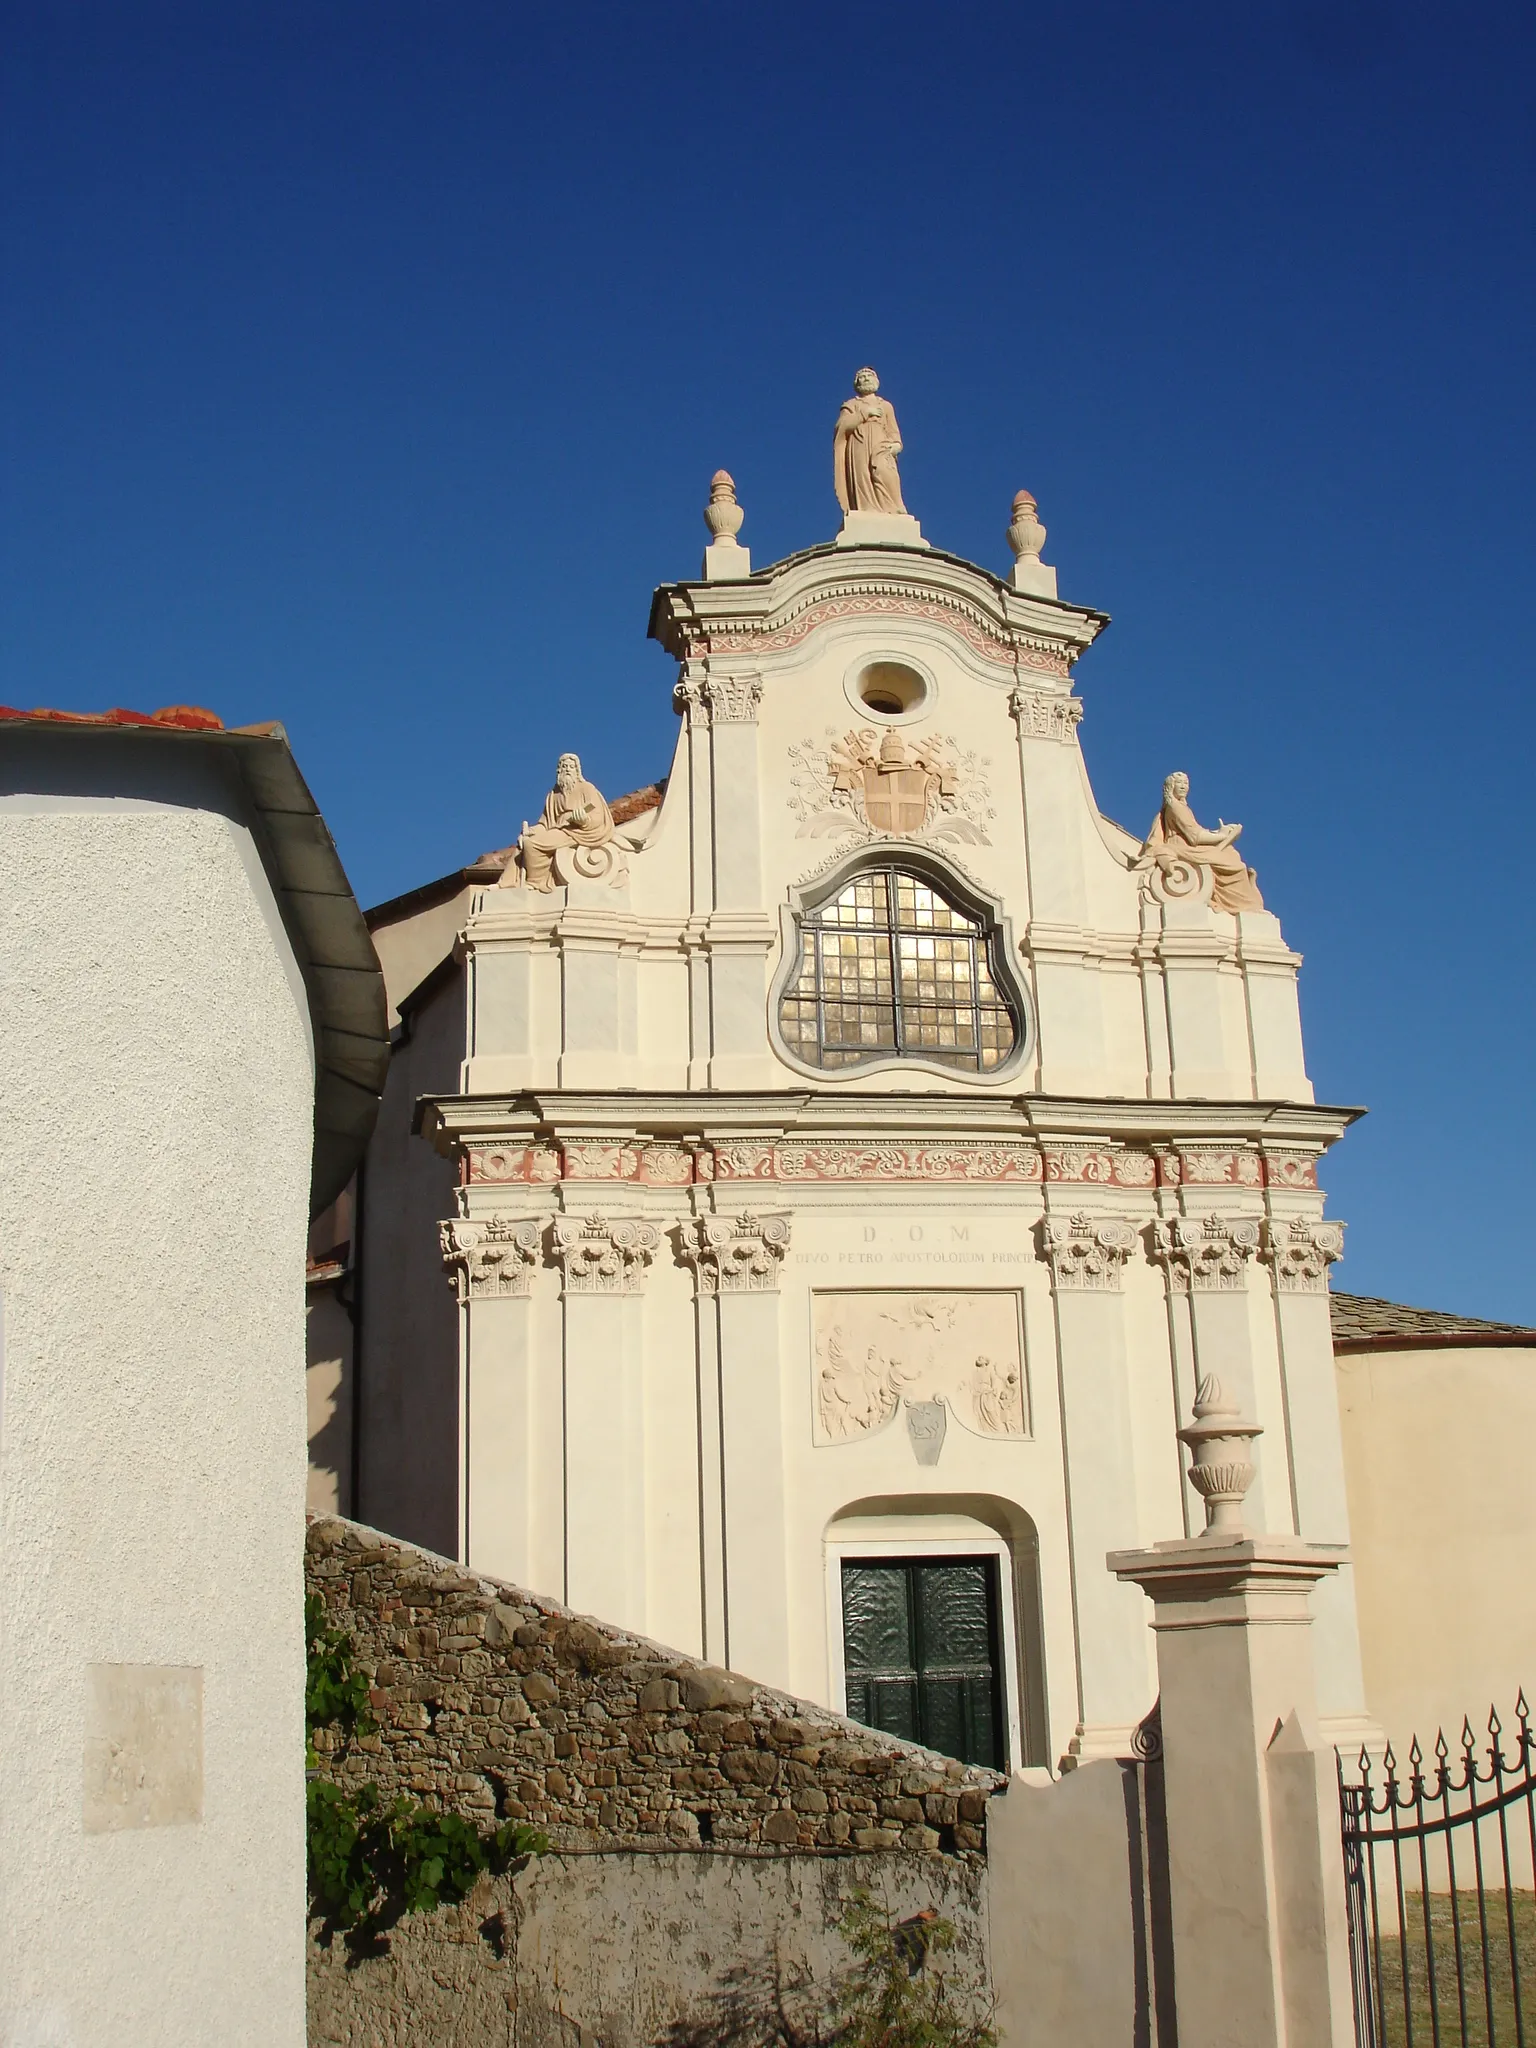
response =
{"points": [[921, 1654]]}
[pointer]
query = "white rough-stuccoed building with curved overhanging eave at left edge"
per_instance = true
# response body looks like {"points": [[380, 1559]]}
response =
{"points": [[157, 1144]]}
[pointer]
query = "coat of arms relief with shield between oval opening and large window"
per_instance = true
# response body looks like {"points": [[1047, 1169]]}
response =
{"points": [[890, 785]]}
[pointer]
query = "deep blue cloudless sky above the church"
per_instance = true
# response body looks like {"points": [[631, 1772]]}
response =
{"points": [[368, 366]]}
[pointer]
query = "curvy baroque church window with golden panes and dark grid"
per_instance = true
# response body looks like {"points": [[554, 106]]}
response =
{"points": [[890, 968]]}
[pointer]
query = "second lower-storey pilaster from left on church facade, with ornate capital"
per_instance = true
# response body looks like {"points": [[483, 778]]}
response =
{"points": [[603, 1263]]}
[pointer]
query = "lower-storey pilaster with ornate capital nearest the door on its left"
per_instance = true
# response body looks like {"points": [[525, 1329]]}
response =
{"points": [[738, 1267]]}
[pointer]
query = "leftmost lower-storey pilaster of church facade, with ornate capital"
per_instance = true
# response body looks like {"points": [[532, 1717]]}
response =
{"points": [[490, 1263]]}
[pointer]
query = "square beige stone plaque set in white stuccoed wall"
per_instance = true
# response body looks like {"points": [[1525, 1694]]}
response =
{"points": [[144, 1748]]}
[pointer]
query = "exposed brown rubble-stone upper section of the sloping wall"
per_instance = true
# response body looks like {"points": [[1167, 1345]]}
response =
{"points": [[503, 1705]]}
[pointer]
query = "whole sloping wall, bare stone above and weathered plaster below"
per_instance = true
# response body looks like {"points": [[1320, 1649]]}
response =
{"points": [[706, 1830]]}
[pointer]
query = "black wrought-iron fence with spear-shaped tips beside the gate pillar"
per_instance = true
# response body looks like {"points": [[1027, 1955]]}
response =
{"points": [[1441, 1873]]}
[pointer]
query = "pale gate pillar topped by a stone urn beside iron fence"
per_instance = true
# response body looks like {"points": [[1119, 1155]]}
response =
{"points": [[1254, 1863]]}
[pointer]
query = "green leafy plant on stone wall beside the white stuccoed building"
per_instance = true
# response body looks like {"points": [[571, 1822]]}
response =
{"points": [[374, 1861]]}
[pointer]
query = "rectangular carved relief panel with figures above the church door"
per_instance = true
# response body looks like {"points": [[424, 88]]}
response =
{"points": [[878, 1353]]}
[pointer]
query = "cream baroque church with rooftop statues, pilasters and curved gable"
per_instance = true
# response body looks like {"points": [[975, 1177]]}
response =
{"points": [[847, 1162]]}
